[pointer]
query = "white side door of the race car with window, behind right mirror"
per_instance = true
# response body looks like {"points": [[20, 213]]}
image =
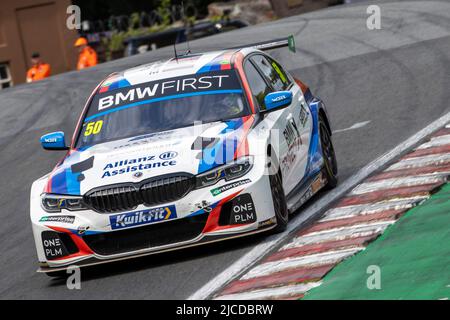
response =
{"points": [[296, 126]]}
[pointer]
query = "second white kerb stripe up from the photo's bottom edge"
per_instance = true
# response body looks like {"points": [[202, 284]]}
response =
{"points": [[312, 260]]}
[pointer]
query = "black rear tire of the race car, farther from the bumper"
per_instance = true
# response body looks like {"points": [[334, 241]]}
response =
{"points": [[329, 156]]}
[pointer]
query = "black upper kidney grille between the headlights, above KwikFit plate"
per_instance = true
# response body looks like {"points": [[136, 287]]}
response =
{"points": [[150, 192]]}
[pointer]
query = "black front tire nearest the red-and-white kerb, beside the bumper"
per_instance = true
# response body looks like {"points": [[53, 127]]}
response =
{"points": [[279, 203]]}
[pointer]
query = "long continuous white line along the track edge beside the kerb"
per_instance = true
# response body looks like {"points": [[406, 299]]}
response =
{"points": [[241, 265]]}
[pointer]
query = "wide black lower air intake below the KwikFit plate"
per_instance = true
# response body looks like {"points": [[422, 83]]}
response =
{"points": [[146, 237]]}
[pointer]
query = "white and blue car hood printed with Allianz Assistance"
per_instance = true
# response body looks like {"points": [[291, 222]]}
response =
{"points": [[191, 150]]}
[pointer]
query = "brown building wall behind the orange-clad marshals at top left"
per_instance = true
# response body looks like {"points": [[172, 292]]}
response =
{"points": [[27, 26]]}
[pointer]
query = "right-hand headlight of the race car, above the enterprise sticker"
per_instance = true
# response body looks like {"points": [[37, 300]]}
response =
{"points": [[228, 172]]}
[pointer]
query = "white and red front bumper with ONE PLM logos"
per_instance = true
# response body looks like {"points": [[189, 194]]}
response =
{"points": [[89, 238]]}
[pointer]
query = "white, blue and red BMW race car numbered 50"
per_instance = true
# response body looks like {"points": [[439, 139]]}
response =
{"points": [[182, 152]]}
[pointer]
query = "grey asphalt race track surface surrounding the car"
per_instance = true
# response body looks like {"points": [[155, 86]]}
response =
{"points": [[398, 78]]}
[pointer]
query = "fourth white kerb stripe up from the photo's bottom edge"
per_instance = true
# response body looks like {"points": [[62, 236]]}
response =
{"points": [[371, 208]]}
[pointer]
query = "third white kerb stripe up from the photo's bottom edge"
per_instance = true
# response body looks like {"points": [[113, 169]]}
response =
{"points": [[355, 231]]}
